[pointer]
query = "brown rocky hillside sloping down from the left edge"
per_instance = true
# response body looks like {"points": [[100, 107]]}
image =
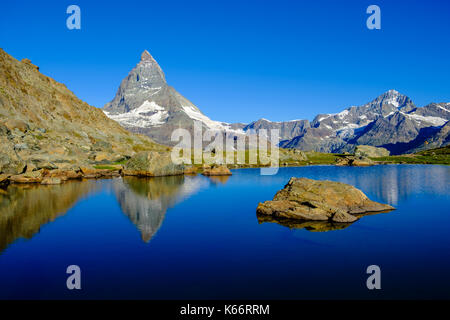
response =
{"points": [[43, 125]]}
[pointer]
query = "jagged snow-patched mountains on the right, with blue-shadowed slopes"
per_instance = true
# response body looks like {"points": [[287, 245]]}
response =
{"points": [[391, 121]]}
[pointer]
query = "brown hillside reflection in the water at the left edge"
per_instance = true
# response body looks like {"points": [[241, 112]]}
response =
{"points": [[25, 208]]}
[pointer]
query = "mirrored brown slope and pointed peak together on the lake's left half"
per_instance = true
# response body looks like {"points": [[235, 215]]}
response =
{"points": [[25, 208]]}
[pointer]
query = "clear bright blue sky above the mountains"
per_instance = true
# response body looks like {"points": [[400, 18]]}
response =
{"points": [[239, 61]]}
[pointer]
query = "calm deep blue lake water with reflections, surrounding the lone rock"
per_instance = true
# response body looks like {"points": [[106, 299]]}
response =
{"points": [[195, 237]]}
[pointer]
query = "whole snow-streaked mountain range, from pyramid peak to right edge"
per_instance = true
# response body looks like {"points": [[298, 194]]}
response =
{"points": [[146, 104]]}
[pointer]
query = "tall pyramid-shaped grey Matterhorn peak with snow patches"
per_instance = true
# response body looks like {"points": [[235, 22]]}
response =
{"points": [[146, 104]]}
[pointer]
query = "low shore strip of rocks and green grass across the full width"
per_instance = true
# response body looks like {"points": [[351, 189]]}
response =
{"points": [[288, 158]]}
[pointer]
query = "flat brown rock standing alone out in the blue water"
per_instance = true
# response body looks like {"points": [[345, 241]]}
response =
{"points": [[319, 200]]}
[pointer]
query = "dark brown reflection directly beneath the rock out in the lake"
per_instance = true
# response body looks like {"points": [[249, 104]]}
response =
{"points": [[313, 226]]}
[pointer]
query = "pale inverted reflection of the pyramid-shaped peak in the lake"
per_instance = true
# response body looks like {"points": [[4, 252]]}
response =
{"points": [[145, 200]]}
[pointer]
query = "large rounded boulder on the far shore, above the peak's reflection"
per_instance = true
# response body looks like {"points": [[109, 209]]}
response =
{"points": [[152, 164]]}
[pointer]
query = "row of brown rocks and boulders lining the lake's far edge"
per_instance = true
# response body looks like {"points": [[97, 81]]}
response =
{"points": [[150, 164]]}
